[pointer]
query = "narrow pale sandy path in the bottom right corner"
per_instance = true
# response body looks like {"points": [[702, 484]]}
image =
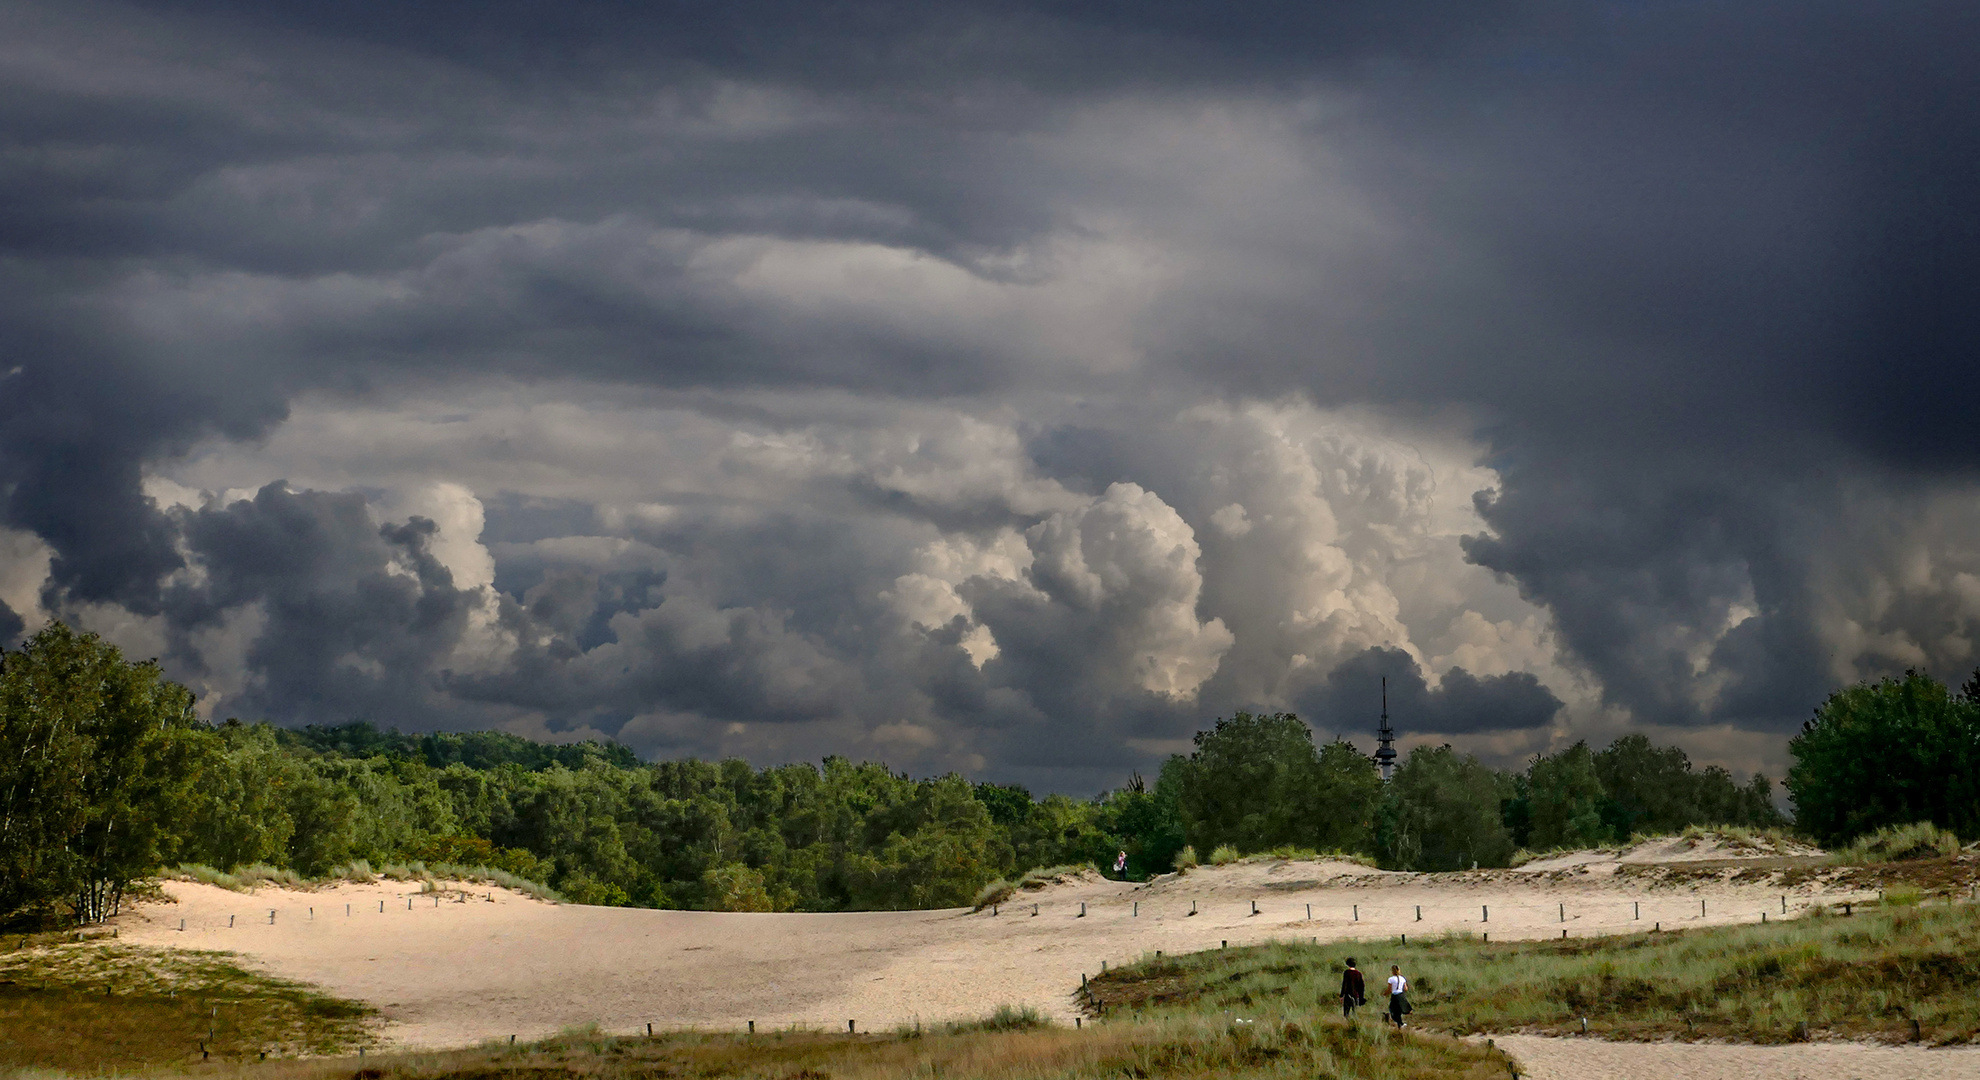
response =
{"points": [[1593, 1059]]}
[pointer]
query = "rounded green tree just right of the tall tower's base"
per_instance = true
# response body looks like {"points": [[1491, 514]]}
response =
{"points": [[1442, 813]]}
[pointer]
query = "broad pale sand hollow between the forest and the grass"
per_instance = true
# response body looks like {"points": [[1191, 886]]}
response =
{"points": [[458, 974]]}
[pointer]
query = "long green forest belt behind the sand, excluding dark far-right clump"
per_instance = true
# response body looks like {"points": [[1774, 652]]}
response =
{"points": [[108, 776]]}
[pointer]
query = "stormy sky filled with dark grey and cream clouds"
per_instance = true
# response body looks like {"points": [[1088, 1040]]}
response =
{"points": [[1007, 389]]}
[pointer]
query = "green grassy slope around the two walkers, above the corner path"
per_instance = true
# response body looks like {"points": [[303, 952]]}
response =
{"points": [[1868, 976]]}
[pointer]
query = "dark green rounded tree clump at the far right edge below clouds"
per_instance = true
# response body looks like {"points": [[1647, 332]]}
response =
{"points": [[1890, 754]]}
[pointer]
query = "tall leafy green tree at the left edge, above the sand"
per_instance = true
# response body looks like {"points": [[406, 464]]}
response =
{"points": [[98, 764]]}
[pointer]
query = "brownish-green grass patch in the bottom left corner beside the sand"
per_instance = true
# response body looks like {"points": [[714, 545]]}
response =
{"points": [[102, 1008]]}
